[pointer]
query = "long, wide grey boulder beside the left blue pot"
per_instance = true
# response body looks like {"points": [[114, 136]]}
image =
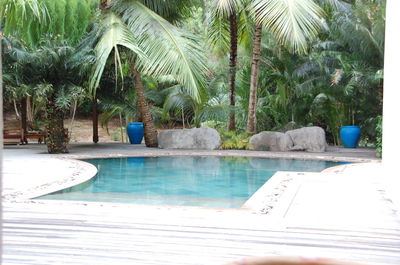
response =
{"points": [[197, 138]]}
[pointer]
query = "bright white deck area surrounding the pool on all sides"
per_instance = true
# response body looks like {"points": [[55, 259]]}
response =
{"points": [[343, 212]]}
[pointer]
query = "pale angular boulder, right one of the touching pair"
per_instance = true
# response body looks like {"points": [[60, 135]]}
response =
{"points": [[310, 139]]}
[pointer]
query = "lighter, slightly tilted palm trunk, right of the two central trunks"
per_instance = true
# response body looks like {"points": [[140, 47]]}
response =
{"points": [[255, 68]]}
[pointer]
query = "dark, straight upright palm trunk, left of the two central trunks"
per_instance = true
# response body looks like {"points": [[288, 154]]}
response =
{"points": [[232, 69]]}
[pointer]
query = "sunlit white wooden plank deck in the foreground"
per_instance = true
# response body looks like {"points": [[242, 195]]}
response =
{"points": [[35, 233]]}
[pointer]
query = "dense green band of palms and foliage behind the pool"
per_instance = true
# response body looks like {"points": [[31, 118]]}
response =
{"points": [[240, 66]]}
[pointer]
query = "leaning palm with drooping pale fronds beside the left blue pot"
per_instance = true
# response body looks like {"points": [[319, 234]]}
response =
{"points": [[157, 47]]}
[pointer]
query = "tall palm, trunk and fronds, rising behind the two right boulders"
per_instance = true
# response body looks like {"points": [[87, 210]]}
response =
{"points": [[291, 23]]}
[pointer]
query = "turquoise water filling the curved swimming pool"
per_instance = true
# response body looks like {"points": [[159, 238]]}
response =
{"points": [[194, 181]]}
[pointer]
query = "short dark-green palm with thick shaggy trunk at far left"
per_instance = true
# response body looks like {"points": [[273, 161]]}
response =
{"points": [[49, 68]]}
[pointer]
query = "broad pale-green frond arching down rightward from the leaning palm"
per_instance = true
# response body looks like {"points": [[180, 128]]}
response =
{"points": [[169, 50]]}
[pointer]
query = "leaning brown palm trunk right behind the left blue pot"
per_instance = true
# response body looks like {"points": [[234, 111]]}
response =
{"points": [[150, 131]]}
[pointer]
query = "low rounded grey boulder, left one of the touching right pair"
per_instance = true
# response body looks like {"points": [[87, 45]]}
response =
{"points": [[271, 141]]}
